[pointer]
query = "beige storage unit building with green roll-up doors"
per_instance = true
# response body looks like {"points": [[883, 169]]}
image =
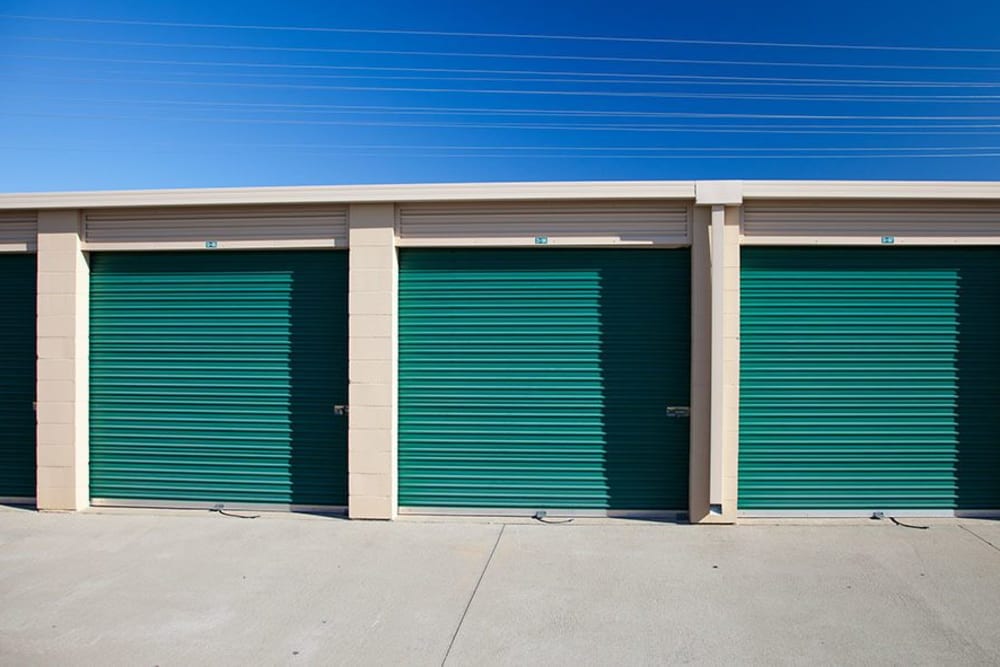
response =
{"points": [[710, 349]]}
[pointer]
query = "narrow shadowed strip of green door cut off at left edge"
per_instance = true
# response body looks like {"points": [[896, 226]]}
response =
{"points": [[17, 375]]}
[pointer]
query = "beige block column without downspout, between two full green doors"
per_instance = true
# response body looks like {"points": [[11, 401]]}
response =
{"points": [[372, 308]]}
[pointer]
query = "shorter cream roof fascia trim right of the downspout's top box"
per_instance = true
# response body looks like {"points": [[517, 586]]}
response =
{"points": [[871, 190]]}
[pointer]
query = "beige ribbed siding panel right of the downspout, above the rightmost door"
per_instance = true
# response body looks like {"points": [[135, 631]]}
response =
{"points": [[868, 222]]}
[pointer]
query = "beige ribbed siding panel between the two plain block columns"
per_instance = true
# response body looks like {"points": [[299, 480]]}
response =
{"points": [[228, 227]]}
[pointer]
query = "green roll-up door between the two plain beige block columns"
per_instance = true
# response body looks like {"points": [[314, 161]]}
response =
{"points": [[214, 376]]}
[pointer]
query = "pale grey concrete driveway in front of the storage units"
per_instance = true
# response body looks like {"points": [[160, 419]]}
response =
{"points": [[192, 588]]}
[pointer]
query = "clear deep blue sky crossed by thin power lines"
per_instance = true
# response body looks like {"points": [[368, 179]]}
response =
{"points": [[104, 105]]}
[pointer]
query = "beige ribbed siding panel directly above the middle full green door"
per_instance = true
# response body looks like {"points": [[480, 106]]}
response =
{"points": [[558, 222]]}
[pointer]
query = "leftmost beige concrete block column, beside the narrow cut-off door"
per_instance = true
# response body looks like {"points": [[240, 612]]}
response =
{"points": [[62, 392]]}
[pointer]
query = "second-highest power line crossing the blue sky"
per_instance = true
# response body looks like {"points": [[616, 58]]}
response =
{"points": [[514, 56]]}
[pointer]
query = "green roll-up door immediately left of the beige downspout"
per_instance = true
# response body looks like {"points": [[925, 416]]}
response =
{"points": [[540, 378]]}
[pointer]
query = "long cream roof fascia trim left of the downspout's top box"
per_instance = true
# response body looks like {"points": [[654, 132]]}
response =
{"points": [[353, 194]]}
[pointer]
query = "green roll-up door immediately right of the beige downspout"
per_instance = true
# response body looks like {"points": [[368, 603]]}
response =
{"points": [[869, 378]]}
